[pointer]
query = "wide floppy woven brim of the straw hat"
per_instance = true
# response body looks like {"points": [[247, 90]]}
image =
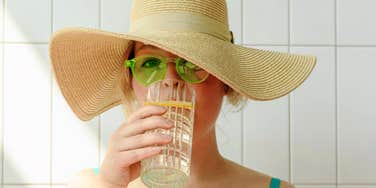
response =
{"points": [[87, 62]]}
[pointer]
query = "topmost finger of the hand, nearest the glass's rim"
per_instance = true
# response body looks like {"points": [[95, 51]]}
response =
{"points": [[146, 111]]}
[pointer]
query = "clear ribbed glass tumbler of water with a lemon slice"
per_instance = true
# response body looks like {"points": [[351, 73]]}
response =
{"points": [[171, 167]]}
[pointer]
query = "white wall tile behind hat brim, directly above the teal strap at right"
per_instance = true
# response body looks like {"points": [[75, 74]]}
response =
{"points": [[266, 134]]}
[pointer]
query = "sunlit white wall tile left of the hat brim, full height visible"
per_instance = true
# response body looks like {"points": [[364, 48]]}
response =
{"points": [[27, 102]]}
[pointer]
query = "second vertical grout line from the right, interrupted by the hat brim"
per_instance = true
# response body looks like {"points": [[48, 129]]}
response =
{"points": [[289, 96]]}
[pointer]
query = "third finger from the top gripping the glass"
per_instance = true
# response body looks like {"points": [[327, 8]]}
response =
{"points": [[144, 140]]}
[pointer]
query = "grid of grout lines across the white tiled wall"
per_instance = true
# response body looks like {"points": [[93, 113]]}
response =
{"points": [[289, 45]]}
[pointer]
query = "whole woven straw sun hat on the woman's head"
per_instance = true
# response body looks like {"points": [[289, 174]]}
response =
{"points": [[87, 62]]}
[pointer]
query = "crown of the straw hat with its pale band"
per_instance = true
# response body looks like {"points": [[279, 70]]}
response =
{"points": [[205, 16]]}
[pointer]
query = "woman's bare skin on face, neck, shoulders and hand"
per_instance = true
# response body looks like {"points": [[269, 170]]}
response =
{"points": [[128, 146]]}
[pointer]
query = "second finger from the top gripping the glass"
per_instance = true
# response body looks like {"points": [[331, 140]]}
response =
{"points": [[141, 125]]}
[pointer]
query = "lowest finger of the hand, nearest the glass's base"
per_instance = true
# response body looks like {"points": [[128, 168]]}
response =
{"points": [[133, 156]]}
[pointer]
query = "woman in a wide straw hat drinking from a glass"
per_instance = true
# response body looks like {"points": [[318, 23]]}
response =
{"points": [[89, 69]]}
